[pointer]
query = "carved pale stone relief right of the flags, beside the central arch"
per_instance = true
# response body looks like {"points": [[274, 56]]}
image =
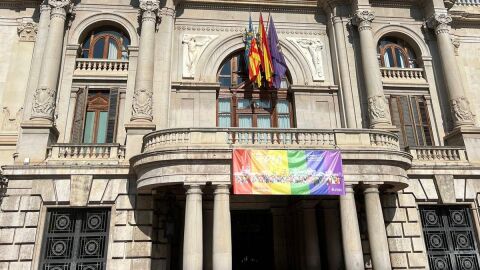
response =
{"points": [[312, 49]]}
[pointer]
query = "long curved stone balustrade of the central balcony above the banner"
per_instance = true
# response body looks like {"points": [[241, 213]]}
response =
{"points": [[269, 138]]}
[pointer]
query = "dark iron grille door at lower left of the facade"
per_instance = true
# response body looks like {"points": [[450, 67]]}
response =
{"points": [[75, 239]]}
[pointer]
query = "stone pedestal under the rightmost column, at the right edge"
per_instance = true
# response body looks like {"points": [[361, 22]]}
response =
{"points": [[468, 137]]}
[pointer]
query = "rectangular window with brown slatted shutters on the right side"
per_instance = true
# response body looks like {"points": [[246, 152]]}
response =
{"points": [[410, 115]]}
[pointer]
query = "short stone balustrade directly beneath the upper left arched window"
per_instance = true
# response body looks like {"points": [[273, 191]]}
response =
{"points": [[101, 67]]}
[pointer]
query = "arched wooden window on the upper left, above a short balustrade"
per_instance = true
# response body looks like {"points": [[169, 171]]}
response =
{"points": [[106, 43]]}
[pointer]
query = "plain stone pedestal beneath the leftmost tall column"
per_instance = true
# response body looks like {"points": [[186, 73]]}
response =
{"points": [[36, 137]]}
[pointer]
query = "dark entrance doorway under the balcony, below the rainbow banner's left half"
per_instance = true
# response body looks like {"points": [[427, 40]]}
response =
{"points": [[252, 239]]}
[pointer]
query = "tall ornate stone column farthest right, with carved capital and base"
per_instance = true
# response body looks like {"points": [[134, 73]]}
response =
{"points": [[460, 107]]}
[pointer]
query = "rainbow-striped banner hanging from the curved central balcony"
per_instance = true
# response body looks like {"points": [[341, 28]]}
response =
{"points": [[288, 172]]}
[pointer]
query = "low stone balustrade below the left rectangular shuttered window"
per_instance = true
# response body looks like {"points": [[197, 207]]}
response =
{"points": [[86, 153]]}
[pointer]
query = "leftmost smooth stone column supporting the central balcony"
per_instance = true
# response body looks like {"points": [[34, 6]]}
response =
{"points": [[193, 235]]}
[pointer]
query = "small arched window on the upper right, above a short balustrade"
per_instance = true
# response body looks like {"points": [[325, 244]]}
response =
{"points": [[396, 53]]}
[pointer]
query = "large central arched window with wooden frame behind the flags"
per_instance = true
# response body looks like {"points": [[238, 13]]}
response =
{"points": [[240, 104]]}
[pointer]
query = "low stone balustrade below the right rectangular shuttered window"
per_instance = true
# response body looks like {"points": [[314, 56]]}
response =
{"points": [[432, 154]]}
